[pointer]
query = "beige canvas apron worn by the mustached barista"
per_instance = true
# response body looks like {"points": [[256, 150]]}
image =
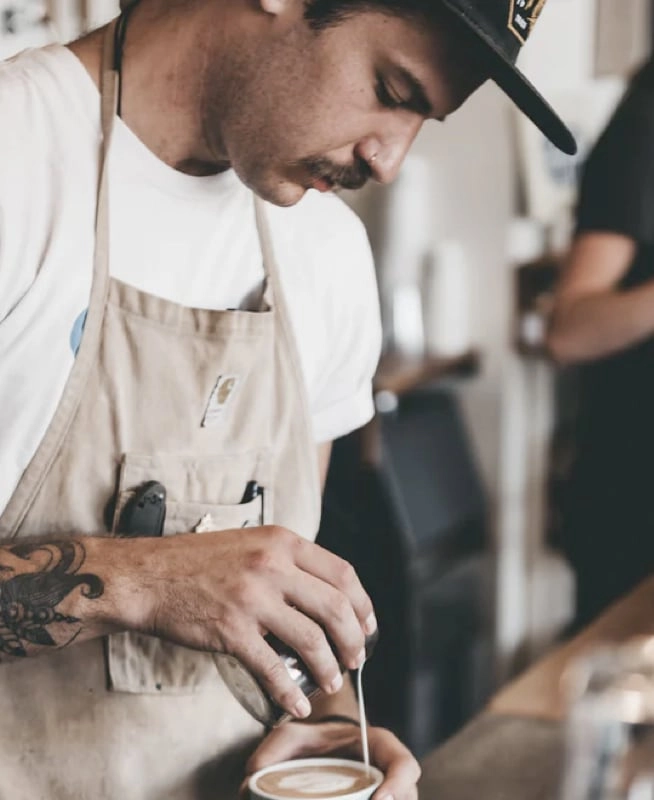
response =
{"points": [[204, 402]]}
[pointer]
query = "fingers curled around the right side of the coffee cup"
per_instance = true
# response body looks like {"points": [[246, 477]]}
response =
{"points": [[401, 770]]}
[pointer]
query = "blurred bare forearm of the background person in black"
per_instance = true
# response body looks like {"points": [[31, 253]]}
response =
{"points": [[601, 324]]}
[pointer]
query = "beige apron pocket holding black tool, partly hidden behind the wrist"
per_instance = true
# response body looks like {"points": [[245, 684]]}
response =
{"points": [[143, 664]]}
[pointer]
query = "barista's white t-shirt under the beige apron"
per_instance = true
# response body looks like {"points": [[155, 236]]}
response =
{"points": [[188, 239]]}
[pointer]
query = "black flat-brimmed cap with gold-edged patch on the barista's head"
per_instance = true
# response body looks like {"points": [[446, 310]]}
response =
{"points": [[503, 26]]}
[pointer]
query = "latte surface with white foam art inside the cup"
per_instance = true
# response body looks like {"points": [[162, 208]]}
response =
{"points": [[308, 782]]}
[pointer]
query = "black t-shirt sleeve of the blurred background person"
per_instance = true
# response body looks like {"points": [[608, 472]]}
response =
{"points": [[617, 188]]}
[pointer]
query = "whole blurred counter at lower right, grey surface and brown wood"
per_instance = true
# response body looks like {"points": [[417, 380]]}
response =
{"points": [[514, 750]]}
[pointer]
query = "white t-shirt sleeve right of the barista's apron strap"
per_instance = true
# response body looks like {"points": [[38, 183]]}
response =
{"points": [[341, 392]]}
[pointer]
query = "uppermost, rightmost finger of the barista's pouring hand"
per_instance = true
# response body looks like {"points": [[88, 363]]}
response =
{"points": [[338, 573]]}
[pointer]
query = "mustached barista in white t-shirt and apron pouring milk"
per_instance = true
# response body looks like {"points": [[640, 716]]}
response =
{"points": [[165, 335]]}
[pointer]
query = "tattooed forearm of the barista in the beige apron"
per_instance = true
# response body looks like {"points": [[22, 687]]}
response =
{"points": [[53, 594]]}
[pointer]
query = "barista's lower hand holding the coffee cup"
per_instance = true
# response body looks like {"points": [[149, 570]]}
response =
{"points": [[341, 740]]}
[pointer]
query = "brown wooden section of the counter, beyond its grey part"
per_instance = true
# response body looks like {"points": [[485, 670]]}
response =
{"points": [[537, 693]]}
